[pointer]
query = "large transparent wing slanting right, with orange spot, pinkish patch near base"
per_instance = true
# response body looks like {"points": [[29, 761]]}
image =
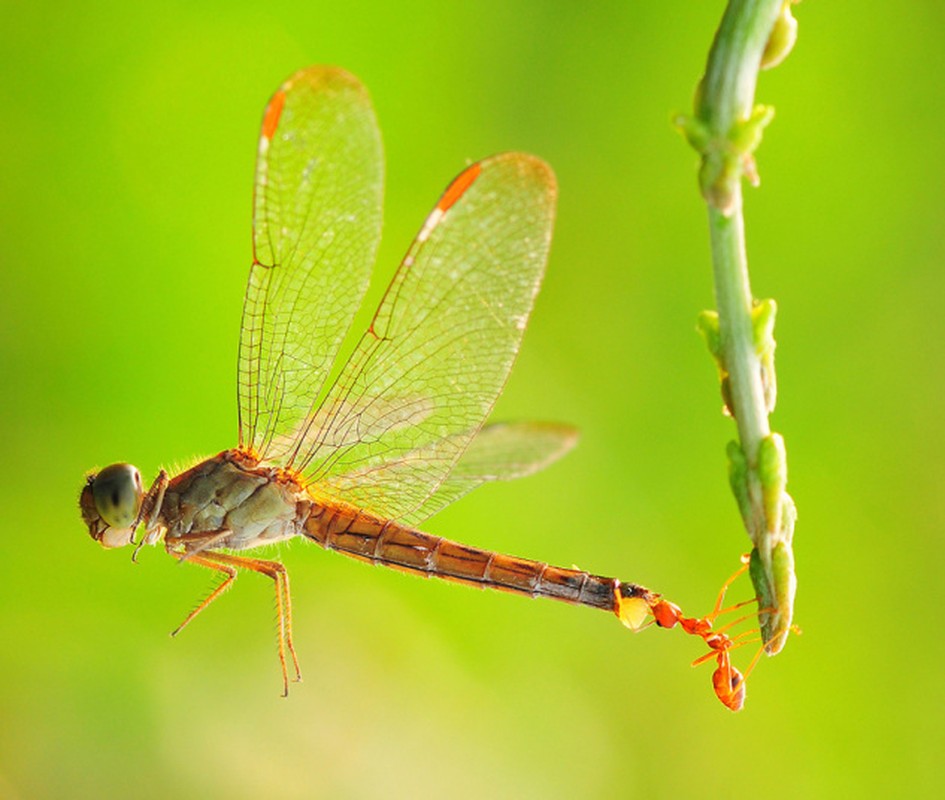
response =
{"points": [[426, 374]]}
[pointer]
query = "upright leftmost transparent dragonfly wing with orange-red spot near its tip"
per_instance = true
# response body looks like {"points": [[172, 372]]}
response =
{"points": [[316, 227]]}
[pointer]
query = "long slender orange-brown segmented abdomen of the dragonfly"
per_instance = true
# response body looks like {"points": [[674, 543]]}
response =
{"points": [[383, 542]]}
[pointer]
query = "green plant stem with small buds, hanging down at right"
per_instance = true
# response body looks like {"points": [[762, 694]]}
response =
{"points": [[726, 129]]}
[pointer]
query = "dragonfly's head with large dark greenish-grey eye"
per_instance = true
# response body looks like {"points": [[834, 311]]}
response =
{"points": [[110, 502]]}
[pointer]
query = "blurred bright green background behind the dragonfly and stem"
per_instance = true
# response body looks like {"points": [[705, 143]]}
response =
{"points": [[130, 134]]}
